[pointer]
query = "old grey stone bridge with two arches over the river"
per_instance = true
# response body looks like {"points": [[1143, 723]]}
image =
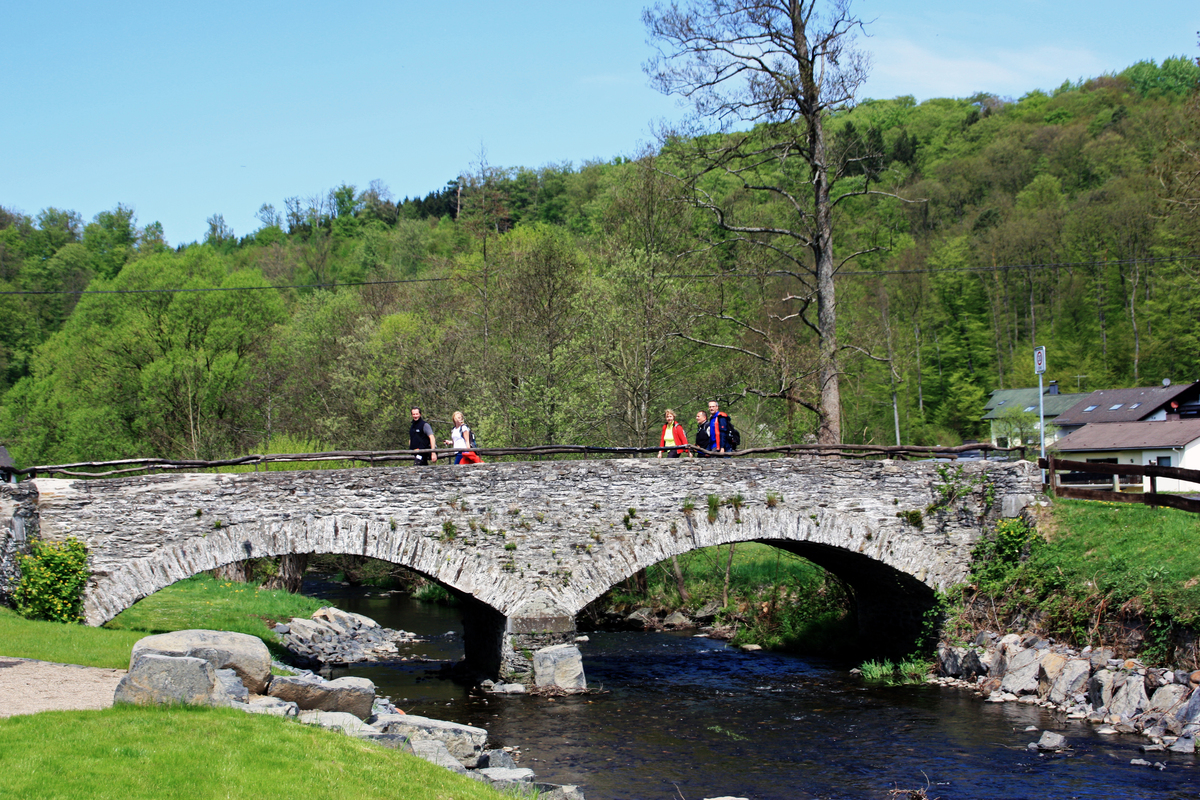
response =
{"points": [[529, 545]]}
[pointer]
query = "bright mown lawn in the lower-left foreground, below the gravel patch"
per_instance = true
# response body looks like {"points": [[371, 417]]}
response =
{"points": [[146, 754]]}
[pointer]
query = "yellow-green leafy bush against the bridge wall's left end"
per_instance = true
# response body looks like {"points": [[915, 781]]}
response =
{"points": [[52, 581]]}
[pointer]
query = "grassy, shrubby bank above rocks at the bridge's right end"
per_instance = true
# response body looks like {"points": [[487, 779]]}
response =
{"points": [[1099, 574]]}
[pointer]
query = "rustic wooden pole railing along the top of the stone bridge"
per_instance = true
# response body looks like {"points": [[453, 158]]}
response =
{"points": [[127, 466]]}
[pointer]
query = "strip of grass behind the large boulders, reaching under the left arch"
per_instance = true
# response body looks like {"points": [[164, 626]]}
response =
{"points": [[197, 603]]}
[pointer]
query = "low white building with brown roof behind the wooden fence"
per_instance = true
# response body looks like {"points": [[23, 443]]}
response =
{"points": [[1169, 443]]}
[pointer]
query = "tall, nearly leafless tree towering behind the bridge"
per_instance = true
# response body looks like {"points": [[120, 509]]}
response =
{"points": [[782, 67]]}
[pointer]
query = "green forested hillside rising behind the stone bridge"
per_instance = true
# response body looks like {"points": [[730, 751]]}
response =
{"points": [[574, 304]]}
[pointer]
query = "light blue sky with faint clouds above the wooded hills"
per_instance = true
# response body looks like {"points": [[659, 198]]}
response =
{"points": [[183, 111]]}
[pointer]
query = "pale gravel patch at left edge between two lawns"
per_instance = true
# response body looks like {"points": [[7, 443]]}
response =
{"points": [[29, 687]]}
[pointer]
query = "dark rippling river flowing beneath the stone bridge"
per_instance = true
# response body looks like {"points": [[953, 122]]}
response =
{"points": [[676, 717]]}
